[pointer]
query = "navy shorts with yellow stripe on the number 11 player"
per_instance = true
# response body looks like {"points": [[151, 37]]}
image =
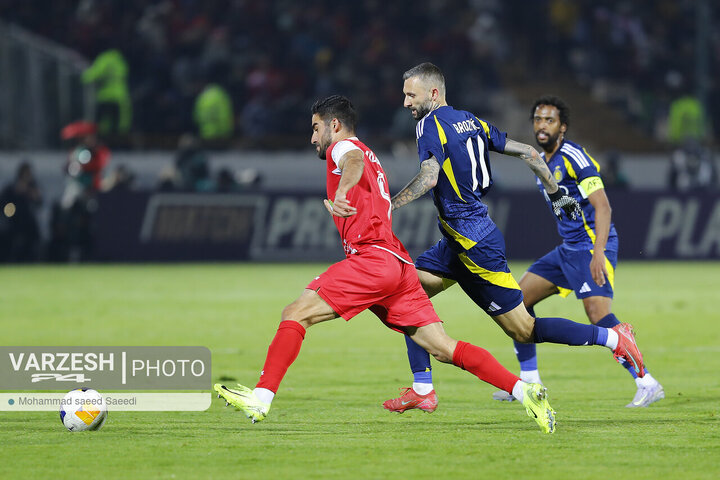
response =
{"points": [[482, 272]]}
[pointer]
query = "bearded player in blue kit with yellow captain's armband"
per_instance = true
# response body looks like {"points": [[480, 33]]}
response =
{"points": [[585, 262]]}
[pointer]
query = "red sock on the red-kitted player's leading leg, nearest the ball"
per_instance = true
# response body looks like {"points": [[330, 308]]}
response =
{"points": [[282, 352]]}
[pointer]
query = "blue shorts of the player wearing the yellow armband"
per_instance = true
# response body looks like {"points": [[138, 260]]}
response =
{"points": [[569, 270]]}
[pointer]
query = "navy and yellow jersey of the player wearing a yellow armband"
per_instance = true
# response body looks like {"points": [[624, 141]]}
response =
{"points": [[576, 172]]}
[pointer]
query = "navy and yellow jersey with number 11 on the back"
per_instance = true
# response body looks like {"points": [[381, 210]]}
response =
{"points": [[460, 142]]}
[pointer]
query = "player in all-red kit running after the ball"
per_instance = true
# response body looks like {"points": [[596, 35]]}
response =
{"points": [[377, 274]]}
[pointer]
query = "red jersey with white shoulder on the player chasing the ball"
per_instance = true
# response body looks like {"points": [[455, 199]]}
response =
{"points": [[371, 226]]}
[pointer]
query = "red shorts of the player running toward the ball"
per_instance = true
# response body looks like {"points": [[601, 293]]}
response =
{"points": [[377, 280]]}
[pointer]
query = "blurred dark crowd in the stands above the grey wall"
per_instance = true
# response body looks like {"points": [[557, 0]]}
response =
{"points": [[243, 70]]}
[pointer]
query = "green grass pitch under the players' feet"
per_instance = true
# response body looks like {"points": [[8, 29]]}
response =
{"points": [[327, 422]]}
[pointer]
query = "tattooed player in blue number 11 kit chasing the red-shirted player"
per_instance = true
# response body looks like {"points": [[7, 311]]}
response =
{"points": [[453, 146]]}
